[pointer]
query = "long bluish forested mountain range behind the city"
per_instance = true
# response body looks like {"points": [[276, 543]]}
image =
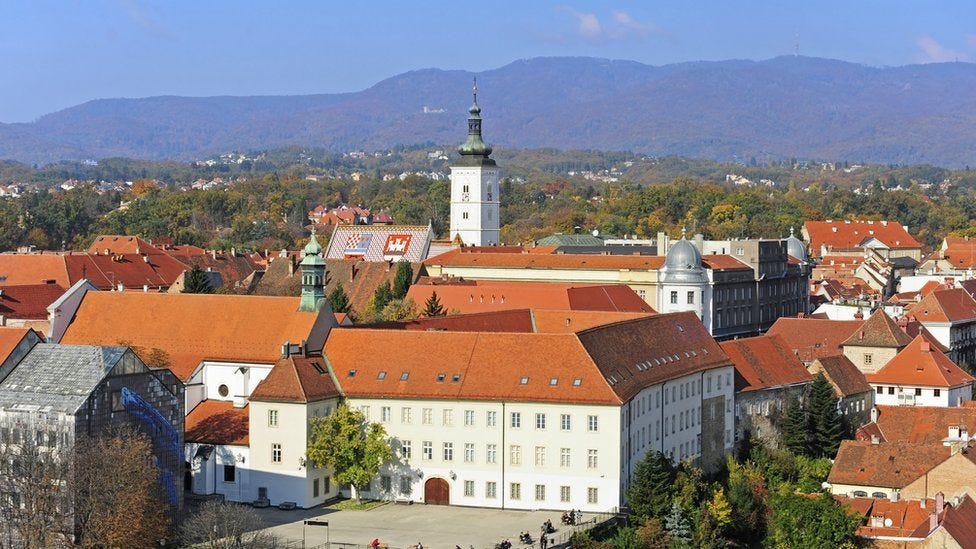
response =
{"points": [[729, 110]]}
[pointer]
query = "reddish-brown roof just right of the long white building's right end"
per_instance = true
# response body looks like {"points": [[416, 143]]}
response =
{"points": [[764, 362]]}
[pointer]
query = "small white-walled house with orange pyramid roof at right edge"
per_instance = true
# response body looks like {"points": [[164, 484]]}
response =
{"points": [[920, 375]]}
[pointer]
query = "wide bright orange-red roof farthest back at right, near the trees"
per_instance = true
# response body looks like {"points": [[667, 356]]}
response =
{"points": [[847, 235]]}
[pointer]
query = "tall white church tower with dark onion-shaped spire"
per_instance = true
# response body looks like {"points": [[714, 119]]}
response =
{"points": [[474, 188]]}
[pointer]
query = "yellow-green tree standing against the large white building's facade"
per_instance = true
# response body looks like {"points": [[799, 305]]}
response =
{"points": [[353, 448]]}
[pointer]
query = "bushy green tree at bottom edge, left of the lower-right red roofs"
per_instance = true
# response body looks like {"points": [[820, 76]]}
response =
{"points": [[803, 521]]}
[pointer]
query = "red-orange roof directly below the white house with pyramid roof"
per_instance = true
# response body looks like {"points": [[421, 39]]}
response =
{"points": [[922, 424]]}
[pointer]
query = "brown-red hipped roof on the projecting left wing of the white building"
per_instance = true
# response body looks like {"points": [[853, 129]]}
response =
{"points": [[296, 379]]}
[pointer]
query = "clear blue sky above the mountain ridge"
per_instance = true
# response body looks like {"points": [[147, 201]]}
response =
{"points": [[56, 54]]}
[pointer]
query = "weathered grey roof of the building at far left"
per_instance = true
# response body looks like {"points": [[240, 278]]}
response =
{"points": [[57, 378]]}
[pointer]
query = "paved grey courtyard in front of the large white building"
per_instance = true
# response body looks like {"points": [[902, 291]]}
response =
{"points": [[403, 526]]}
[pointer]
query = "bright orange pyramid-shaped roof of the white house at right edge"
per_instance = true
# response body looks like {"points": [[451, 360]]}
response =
{"points": [[921, 364]]}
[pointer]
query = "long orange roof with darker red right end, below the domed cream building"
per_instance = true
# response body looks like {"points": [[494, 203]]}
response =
{"points": [[479, 296]]}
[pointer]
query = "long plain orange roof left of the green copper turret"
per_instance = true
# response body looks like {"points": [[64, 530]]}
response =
{"points": [[190, 328]]}
